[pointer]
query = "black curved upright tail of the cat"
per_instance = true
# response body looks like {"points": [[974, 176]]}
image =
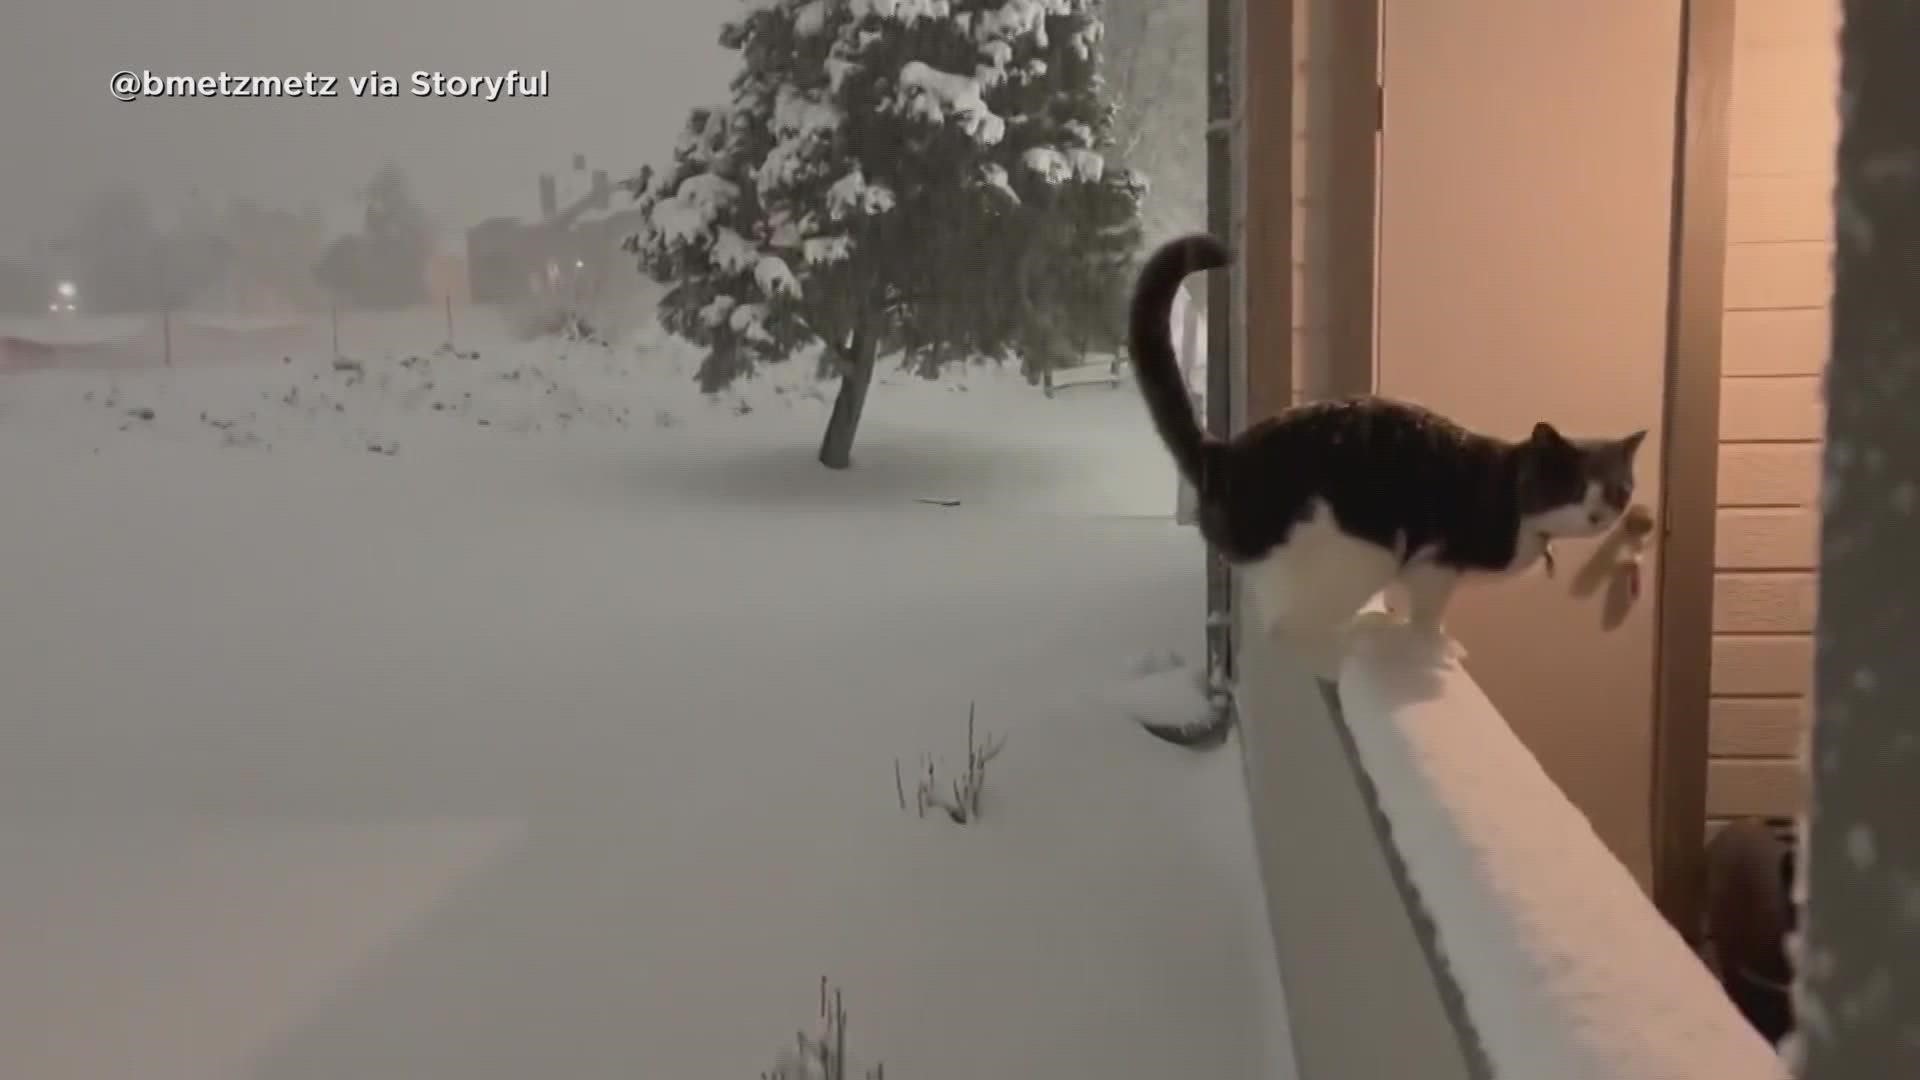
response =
{"points": [[1155, 362]]}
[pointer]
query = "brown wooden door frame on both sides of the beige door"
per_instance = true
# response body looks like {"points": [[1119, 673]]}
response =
{"points": [[1685, 566]]}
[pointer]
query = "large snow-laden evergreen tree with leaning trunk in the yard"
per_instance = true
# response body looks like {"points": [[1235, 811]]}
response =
{"points": [[915, 178]]}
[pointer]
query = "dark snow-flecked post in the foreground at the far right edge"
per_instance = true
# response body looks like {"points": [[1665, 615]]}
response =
{"points": [[1860, 958]]}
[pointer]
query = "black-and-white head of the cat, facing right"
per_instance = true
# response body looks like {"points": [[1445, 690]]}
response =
{"points": [[1575, 487]]}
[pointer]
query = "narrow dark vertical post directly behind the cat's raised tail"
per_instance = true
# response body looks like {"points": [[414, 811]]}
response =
{"points": [[1222, 389]]}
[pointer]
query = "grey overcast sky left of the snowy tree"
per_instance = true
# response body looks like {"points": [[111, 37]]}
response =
{"points": [[623, 76]]}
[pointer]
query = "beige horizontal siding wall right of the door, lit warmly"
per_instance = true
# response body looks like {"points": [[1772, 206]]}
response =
{"points": [[1775, 347]]}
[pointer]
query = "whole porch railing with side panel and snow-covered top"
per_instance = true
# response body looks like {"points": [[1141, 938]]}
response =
{"points": [[1439, 904]]}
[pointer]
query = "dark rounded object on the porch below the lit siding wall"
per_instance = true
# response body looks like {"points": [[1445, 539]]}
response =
{"points": [[1750, 914]]}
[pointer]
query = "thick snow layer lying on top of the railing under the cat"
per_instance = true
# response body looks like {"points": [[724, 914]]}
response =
{"points": [[1550, 960]]}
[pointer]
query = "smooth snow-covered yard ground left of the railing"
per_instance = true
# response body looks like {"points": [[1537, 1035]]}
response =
{"points": [[523, 714]]}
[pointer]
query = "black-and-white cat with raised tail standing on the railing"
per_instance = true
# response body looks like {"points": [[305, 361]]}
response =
{"points": [[1330, 504]]}
